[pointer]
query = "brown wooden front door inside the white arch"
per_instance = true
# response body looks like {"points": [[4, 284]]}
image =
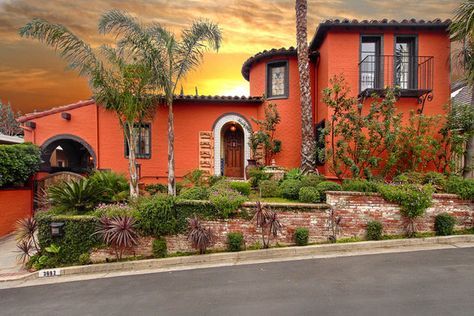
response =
{"points": [[234, 153]]}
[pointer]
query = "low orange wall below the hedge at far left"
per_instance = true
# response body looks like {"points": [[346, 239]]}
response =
{"points": [[15, 204]]}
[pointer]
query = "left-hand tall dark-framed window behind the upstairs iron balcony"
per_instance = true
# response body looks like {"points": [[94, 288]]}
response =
{"points": [[371, 67]]}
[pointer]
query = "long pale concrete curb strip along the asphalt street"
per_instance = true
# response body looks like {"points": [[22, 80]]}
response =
{"points": [[105, 270]]}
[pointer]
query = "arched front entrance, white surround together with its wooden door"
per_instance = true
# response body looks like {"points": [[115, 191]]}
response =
{"points": [[231, 147]]}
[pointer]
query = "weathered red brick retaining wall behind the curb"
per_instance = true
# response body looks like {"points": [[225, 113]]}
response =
{"points": [[353, 208]]}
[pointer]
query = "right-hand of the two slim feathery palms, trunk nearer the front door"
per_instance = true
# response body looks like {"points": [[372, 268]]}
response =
{"points": [[169, 58]]}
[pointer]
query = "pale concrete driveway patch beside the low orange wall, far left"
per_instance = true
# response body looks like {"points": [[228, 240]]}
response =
{"points": [[9, 265]]}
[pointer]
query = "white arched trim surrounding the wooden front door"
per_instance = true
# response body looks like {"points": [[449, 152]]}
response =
{"points": [[217, 139]]}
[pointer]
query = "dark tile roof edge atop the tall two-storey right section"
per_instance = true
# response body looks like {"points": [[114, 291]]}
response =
{"points": [[385, 23]]}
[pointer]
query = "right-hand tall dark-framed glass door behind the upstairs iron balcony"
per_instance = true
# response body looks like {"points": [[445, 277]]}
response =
{"points": [[405, 62]]}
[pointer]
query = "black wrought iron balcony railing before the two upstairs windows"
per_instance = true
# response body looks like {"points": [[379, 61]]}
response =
{"points": [[412, 76]]}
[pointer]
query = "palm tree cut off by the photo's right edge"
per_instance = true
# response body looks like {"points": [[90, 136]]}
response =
{"points": [[462, 29]]}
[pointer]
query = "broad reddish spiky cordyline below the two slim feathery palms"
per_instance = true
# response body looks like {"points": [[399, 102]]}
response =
{"points": [[119, 233]]}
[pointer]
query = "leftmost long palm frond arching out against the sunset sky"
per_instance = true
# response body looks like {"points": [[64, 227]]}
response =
{"points": [[76, 52]]}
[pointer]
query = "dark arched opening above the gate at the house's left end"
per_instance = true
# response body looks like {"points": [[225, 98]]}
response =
{"points": [[67, 153]]}
